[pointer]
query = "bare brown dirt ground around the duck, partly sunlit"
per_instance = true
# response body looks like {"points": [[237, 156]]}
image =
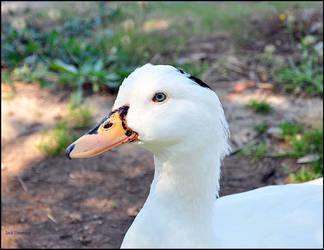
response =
{"points": [[88, 203]]}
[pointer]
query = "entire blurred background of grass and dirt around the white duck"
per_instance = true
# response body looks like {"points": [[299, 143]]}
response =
{"points": [[62, 64]]}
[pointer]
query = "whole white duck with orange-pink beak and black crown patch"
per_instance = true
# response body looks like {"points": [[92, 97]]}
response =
{"points": [[181, 120]]}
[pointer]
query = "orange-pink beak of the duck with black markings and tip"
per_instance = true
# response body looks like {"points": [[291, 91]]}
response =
{"points": [[109, 133]]}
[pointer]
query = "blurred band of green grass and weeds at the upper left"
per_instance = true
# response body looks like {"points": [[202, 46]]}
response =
{"points": [[104, 42]]}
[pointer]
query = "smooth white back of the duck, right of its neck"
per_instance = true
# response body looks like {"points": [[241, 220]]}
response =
{"points": [[280, 216]]}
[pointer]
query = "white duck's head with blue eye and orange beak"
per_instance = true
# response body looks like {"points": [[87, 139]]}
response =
{"points": [[162, 109]]}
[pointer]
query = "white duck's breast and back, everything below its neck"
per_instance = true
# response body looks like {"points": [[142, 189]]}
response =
{"points": [[281, 216]]}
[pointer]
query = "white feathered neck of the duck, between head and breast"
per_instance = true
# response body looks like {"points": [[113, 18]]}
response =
{"points": [[186, 180]]}
